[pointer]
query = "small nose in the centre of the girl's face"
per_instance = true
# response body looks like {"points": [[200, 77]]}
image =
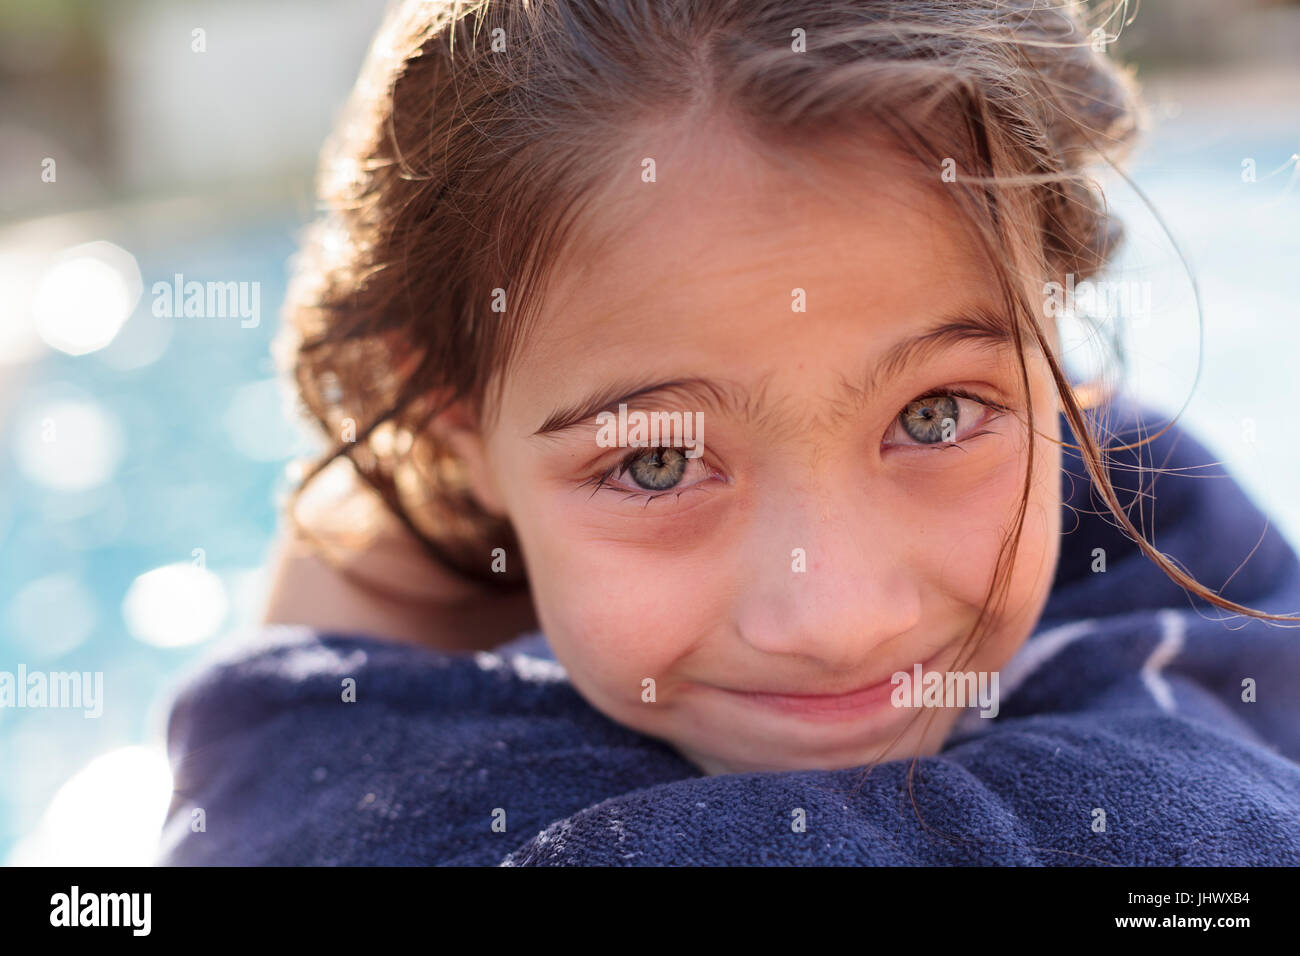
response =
{"points": [[827, 577]]}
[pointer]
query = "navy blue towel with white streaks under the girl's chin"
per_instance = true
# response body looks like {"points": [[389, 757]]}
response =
{"points": [[1136, 728]]}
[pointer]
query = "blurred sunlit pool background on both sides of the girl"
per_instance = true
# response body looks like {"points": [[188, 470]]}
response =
{"points": [[144, 456]]}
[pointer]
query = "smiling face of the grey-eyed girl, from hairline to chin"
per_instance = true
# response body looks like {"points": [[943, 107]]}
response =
{"points": [[821, 543]]}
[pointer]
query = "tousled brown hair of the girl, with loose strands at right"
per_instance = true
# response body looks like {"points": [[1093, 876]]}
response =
{"points": [[480, 132]]}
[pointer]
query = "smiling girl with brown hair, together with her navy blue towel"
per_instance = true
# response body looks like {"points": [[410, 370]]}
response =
{"points": [[816, 243]]}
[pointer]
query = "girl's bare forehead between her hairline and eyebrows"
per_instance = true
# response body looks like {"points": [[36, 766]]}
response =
{"points": [[701, 267]]}
